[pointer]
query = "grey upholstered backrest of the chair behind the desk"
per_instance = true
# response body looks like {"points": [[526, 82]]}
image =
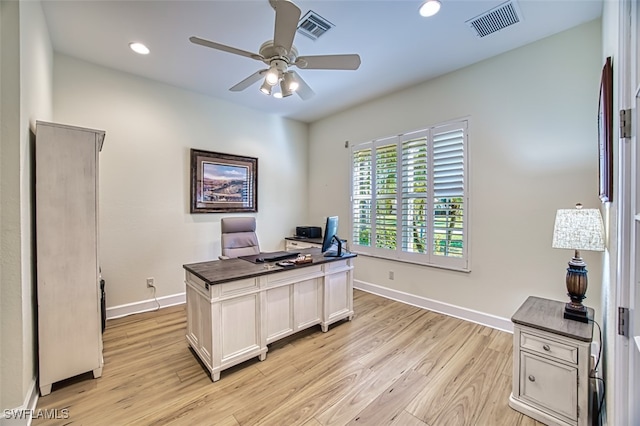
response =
{"points": [[239, 236]]}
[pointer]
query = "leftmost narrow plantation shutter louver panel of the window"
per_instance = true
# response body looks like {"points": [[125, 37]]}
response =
{"points": [[362, 195]]}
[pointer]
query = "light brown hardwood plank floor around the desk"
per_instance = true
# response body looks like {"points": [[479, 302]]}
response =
{"points": [[394, 364]]}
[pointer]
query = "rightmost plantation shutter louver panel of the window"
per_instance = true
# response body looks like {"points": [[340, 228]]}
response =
{"points": [[448, 191]]}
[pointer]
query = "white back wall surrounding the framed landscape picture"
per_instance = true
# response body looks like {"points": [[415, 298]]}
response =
{"points": [[146, 229]]}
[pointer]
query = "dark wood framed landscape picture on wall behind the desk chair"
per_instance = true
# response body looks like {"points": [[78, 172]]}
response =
{"points": [[222, 183]]}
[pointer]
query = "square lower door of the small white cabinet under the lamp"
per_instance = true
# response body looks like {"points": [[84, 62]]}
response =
{"points": [[548, 384]]}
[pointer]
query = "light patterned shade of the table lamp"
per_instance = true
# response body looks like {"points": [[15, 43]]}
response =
{"points": [[578, 229]]}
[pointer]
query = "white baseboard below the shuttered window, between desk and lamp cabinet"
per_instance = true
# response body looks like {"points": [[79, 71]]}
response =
{"points": [[477, 317]]}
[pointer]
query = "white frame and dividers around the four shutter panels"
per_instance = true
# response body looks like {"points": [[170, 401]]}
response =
{"points": [[429, 258]]}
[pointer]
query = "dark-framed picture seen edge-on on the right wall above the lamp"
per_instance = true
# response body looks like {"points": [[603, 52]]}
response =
{"points": [[605, 132]]}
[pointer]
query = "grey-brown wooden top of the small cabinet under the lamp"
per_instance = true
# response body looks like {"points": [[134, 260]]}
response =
{"points": [[547, 315]]}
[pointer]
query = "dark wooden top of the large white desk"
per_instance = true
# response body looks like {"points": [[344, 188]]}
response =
{"points": [[222, 271]]}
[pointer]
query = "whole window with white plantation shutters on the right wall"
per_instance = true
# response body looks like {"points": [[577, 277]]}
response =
{"points": [[409, 197]]}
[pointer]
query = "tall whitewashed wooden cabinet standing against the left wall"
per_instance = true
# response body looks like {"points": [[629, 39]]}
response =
{"points": [[68, 288]]}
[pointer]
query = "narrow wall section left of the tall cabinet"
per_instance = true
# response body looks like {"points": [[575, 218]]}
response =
{"points": [[26, 80]]}
